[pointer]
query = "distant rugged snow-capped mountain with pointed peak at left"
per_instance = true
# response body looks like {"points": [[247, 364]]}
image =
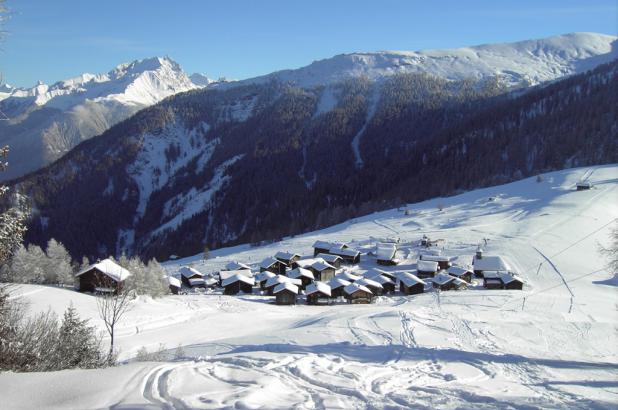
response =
{"points": [[46, 121]]}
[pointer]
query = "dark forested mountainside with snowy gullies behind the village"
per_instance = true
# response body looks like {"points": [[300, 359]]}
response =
{"points": [[223, 166]]}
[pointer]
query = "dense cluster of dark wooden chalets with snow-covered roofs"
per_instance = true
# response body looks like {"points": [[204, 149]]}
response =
{"points": [[328, 275]]}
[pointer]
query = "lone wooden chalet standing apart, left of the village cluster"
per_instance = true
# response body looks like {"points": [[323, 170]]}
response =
{"points": [[105, 276]]}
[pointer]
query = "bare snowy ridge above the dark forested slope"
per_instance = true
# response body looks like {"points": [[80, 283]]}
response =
{"points": [[522, 63]]}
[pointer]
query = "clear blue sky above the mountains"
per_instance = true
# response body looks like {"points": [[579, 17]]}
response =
{"points": [[50, 40]]}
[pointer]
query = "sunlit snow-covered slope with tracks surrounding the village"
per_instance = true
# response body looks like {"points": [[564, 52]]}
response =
{"points": [[552, 345]]}
